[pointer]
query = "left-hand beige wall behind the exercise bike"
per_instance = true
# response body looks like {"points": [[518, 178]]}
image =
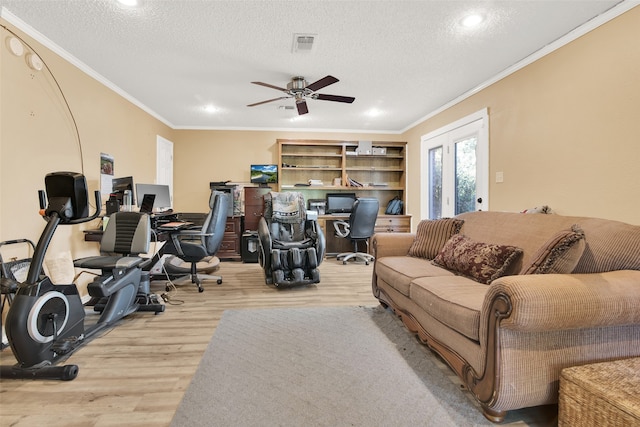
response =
{"points": [[38, 136]]}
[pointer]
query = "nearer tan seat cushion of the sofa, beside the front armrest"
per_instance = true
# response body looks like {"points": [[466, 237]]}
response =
{"points": [[455, 301]]}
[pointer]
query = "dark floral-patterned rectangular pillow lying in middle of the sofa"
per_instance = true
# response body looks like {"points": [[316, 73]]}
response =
{"points": [[482, 262]]}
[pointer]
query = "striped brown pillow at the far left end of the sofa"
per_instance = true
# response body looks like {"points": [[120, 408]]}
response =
{"points": [[431, 236]]}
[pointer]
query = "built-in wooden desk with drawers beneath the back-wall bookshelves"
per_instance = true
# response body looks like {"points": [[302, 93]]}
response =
{"points": [[384, 224]]}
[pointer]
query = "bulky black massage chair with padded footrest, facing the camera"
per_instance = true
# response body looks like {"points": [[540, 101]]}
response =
{"points": [[291, 245]]}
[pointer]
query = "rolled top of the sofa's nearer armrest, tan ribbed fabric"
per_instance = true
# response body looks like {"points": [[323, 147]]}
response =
{"points": [[546, 302]]}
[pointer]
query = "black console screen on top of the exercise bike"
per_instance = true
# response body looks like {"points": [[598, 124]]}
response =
{"points": [[67, 194]]}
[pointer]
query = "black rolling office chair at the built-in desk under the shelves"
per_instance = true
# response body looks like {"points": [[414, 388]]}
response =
{"points": [[360, 227]]}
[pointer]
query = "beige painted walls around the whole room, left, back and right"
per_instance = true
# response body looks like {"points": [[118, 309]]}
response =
{"points": [[564, 131]]}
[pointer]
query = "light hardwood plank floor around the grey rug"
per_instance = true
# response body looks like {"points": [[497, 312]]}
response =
{"points": [[136, 373]]}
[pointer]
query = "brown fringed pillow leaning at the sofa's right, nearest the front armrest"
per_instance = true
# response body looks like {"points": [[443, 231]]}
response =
{"points": [[560, 254]]}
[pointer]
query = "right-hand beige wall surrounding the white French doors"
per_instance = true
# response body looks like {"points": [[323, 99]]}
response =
{"points": [[565, 130]]}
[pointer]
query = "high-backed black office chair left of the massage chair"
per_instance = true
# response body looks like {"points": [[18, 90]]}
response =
{"points": [[198, 246]]}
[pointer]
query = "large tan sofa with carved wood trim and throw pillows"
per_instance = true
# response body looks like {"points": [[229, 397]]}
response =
{"points": [[508, 340]]}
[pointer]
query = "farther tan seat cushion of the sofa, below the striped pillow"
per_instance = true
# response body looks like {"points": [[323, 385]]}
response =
{"points": [[399, 271]]}
